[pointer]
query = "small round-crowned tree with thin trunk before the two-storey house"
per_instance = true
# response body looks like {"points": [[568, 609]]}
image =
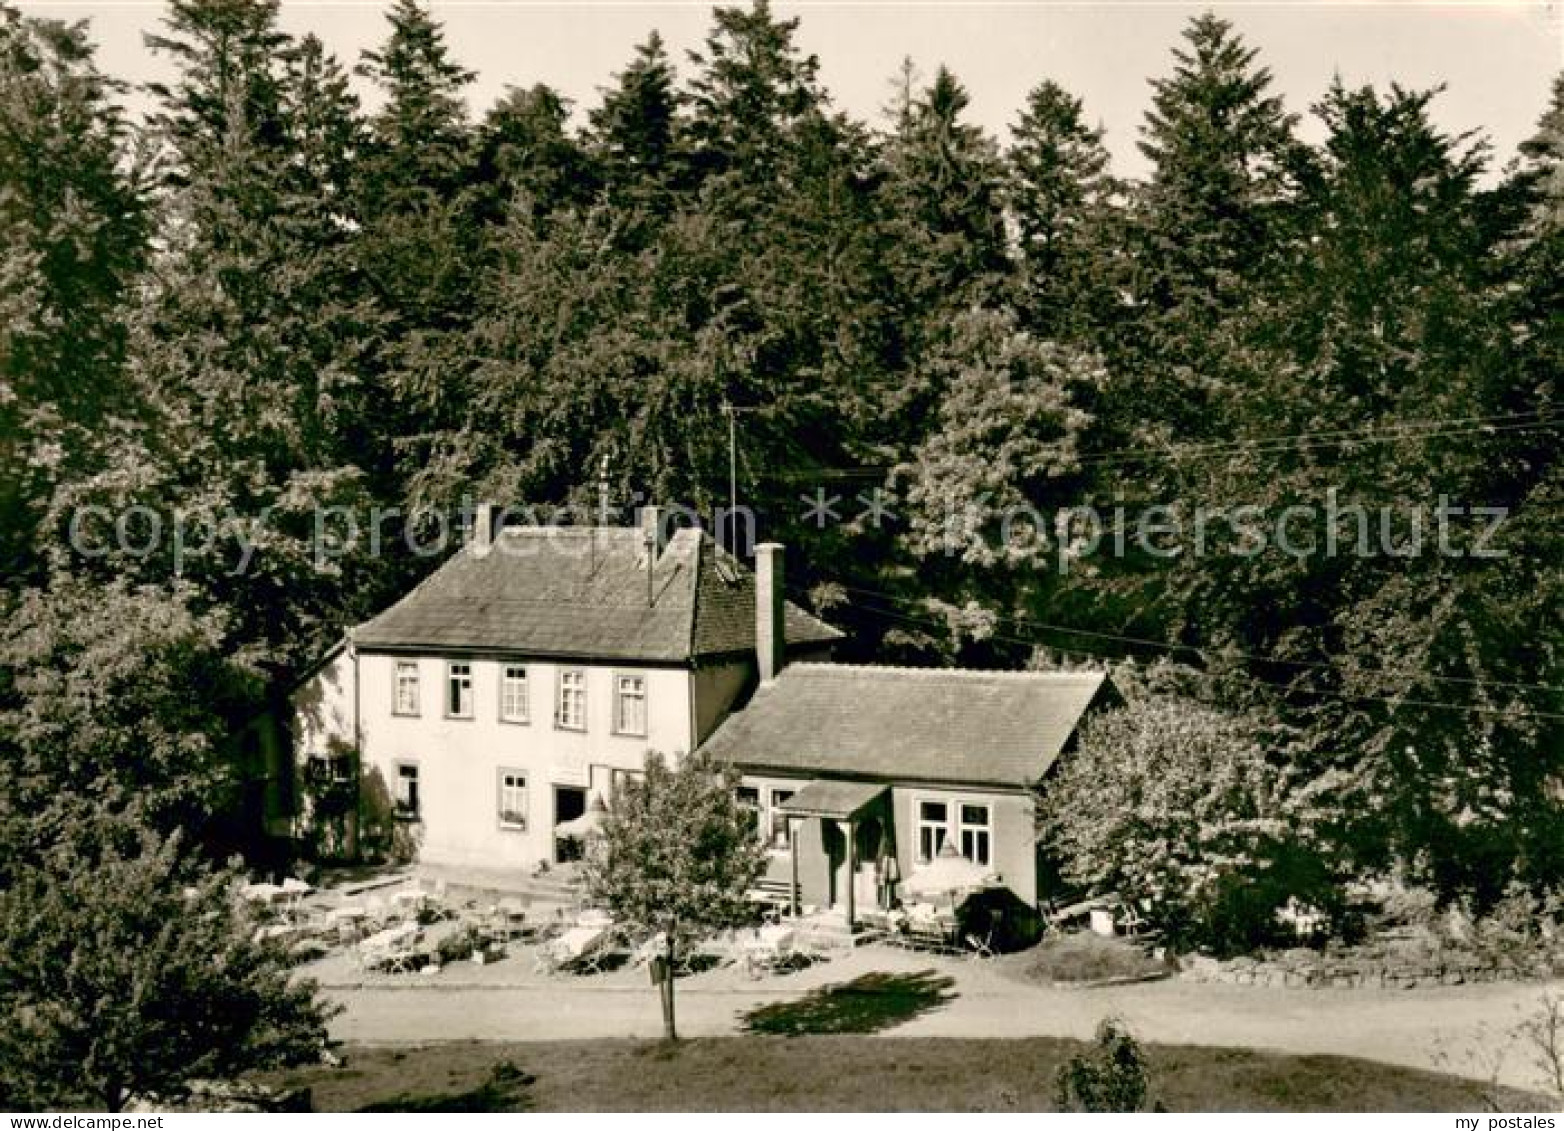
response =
{"points": [[675, 858]]}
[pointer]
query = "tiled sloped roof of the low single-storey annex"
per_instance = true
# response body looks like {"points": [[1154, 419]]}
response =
{"points": [[928, 725]]}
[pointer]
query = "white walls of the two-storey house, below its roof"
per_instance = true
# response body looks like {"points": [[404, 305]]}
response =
{"points": [[486, 756]]}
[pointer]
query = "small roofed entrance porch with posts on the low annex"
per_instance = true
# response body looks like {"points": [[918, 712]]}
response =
{"points": [[855, 836]]}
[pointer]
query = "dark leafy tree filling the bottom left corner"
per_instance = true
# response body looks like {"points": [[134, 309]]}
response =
{"points": [[127, 971]]}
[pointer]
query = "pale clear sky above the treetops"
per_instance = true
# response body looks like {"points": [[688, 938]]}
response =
{"points": [[1498, 59]]}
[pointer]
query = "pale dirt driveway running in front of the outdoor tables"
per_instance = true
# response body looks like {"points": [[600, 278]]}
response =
{"points": [[1466, 1030]]}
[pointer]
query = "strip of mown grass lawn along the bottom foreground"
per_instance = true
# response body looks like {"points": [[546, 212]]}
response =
{"points": [[852, 1072]]}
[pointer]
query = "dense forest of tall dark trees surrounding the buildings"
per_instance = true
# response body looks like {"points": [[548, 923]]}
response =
{"points": [[265, 303]]}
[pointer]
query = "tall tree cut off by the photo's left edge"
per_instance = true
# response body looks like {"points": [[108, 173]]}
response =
{"points": [[74, 237]]}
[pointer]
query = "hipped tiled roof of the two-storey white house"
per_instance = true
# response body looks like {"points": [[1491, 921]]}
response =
{"points": [[581, 592]]}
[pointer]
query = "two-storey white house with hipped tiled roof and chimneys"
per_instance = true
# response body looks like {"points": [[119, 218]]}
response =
{"points": [[523, 677]]}
